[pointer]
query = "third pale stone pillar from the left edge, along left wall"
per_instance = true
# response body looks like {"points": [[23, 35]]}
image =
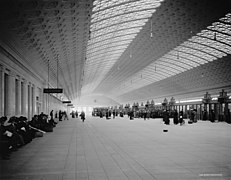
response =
{"points": [[24, 99]]}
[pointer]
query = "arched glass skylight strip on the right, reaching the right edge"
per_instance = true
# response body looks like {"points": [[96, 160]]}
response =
{"points": [[208, 45]]}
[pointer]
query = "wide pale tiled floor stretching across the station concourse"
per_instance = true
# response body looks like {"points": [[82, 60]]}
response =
{"points": [[120, 149]]}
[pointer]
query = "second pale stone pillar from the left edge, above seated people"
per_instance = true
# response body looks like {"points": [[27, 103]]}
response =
{"points": [[10, 106]]}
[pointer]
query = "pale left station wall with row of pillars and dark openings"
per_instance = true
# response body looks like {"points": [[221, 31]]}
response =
{"points": [[21, 91]]}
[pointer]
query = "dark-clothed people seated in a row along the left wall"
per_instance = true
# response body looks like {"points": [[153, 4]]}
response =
{"points": [[16, 132]]}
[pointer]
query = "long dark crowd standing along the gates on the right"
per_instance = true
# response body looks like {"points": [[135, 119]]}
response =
{"points": [[192, 114]]}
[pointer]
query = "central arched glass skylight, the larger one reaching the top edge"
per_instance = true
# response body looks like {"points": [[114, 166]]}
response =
{"points": [[114, 24]]}
